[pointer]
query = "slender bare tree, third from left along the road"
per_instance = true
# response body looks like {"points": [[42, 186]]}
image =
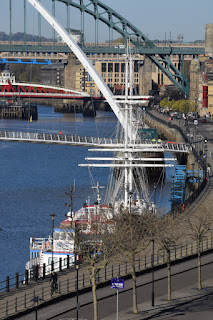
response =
{"points": [[168, 236]]}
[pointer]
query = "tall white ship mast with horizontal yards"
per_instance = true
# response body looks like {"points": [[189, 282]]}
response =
{"points": [[125, 152]]}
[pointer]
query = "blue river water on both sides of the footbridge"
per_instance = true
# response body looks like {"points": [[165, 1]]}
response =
{"points": [[35, 177]]}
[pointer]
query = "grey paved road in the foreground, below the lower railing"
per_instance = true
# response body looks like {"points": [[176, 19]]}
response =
{"points": [[184, 289]]}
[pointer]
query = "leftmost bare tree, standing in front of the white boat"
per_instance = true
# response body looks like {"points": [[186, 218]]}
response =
{"points": [[97, 247]]}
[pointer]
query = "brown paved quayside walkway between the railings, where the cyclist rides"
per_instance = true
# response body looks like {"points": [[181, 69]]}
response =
{"points": [[19, 301]]}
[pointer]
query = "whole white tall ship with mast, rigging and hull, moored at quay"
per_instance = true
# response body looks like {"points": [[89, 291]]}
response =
{"points": [[131, 156]]}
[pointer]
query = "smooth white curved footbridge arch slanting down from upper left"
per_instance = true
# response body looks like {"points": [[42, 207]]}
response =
{"points": [[83, 59]]}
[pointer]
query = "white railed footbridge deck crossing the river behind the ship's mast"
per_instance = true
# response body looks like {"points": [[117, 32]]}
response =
{"points": [[75, 140]]}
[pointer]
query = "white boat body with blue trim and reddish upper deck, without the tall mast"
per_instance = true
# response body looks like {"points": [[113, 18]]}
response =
{"points": [[61, 245]]}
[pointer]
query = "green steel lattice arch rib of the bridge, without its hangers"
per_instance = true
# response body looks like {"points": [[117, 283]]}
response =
{"points": [[115, 21]]}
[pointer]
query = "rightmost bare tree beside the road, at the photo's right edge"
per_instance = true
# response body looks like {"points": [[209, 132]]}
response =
{"points": [[197, 226]]}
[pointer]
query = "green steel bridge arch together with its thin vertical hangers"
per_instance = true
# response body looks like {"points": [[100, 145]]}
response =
{"points": [[103, 13]]}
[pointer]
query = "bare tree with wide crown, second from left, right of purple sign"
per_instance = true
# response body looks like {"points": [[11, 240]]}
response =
{"points": [[134, 238]]}
